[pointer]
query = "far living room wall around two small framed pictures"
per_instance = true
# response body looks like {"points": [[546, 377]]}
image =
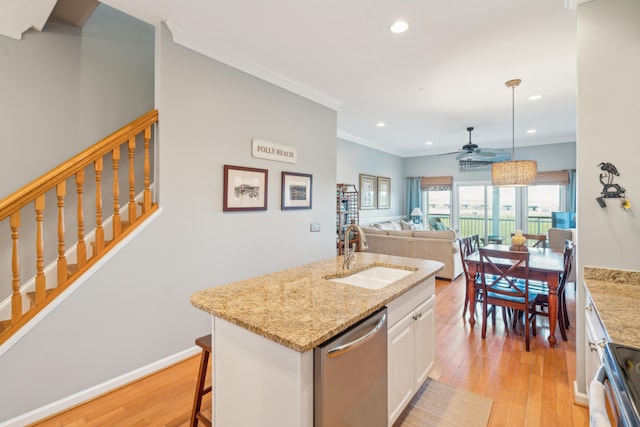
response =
{"points": [[354, 159]]}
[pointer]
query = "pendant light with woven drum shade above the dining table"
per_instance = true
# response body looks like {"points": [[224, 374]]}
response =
{"points": [[513, 173]]}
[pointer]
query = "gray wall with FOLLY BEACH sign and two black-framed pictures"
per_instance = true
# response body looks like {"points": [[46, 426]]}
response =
{"points": [[135, 310]]}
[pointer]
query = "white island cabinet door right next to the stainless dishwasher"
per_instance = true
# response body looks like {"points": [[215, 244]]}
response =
{"points": [[400, 366]]}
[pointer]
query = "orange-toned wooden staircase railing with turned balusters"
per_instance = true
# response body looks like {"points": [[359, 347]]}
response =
{"points": [[28, 300]]}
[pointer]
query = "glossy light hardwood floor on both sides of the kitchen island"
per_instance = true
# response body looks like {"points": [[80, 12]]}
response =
{"points": [[528, 388]]}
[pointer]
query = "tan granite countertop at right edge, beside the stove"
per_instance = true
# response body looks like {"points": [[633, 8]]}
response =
{"points": [[616, 295]]}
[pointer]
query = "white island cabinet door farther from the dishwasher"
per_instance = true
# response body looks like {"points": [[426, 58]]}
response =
{"points": [[424, 326]]}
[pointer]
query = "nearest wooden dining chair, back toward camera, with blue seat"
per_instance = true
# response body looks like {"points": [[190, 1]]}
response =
{"points": [[499, 289]]}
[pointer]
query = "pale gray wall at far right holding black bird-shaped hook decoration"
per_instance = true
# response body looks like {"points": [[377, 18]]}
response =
{"points": [[608, 111]]}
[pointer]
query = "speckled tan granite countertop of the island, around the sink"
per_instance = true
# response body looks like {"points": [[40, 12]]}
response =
{"points": [[299, 308]]}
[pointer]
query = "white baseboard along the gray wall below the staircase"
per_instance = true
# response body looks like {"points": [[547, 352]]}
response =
{"points": [[97, 390]]}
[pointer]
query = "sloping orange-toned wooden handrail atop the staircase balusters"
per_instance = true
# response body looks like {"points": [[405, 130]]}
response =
{"points": [[77, 163]]}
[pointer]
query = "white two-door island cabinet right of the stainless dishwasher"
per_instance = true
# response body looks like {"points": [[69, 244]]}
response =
{"points": [[410, 348]]}
